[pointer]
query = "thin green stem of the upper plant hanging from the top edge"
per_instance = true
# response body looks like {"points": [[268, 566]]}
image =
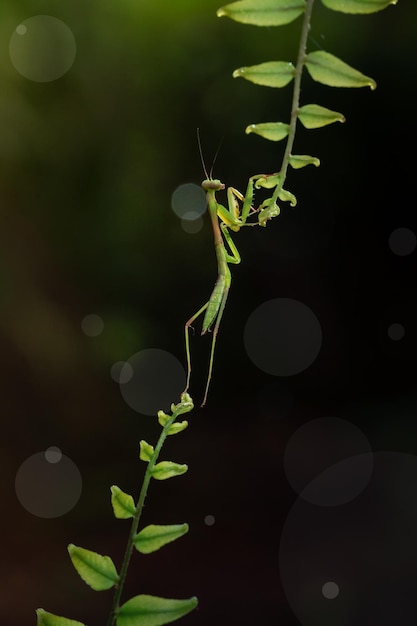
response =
{"points": [[296, 97]]}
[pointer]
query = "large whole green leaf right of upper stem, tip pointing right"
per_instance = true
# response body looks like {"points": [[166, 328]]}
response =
{"points": [[329, 70]]}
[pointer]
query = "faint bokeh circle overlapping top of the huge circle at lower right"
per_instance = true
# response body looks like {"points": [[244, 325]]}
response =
{"points": [[328, 461]]}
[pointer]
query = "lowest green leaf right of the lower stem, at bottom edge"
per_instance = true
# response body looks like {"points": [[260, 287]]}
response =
{"points": [[146, 610]]}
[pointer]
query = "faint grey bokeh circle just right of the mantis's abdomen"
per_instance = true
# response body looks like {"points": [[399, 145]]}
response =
{"points": [[282, 337]]}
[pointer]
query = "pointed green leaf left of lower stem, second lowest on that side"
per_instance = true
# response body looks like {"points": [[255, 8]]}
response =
{"points": [[96, 570]]}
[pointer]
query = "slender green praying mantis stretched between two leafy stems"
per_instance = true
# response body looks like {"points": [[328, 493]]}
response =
{"points": [[232, 218]]}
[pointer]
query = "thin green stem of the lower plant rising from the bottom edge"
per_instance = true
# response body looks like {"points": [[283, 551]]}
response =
{"points": [[135, 522]]}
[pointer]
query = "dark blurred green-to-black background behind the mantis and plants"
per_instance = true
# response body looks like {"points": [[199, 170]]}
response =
{"points": [[89, 163]]}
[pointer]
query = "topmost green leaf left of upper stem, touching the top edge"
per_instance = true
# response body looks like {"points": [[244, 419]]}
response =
{"points": [[263, 12]]}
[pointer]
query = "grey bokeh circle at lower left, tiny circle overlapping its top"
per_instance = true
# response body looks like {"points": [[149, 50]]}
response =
{"points": [[48, 484]]}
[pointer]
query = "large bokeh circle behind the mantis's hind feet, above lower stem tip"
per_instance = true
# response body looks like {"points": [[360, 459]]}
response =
{"points": [[156, 380]]}
